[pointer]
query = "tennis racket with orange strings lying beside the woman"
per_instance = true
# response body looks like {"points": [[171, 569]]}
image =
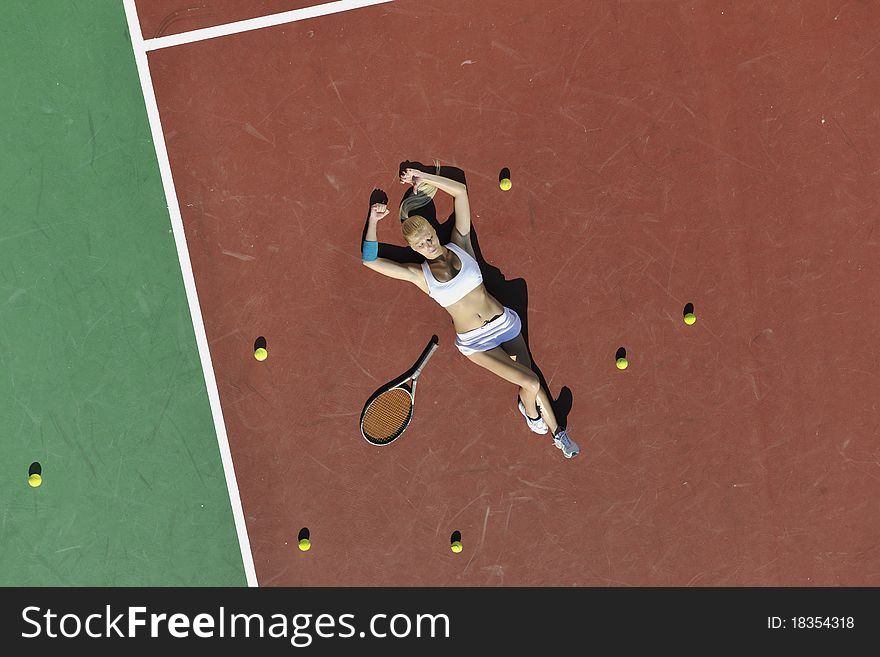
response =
{"points": [[389, 410]]}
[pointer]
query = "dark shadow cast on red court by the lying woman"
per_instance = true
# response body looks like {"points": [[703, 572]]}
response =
{"points": [[511, 293]]}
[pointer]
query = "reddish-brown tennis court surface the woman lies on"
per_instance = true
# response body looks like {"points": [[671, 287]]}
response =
{"points": [[721, 153]]}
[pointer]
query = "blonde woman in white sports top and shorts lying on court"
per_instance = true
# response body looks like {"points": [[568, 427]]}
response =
{"points": [[488, 333]]}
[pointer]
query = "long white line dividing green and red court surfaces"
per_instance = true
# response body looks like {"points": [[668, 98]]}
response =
{"points": [[140, 55]]}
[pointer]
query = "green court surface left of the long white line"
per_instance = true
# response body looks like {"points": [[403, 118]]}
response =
{"points": [[100, 378]]}
